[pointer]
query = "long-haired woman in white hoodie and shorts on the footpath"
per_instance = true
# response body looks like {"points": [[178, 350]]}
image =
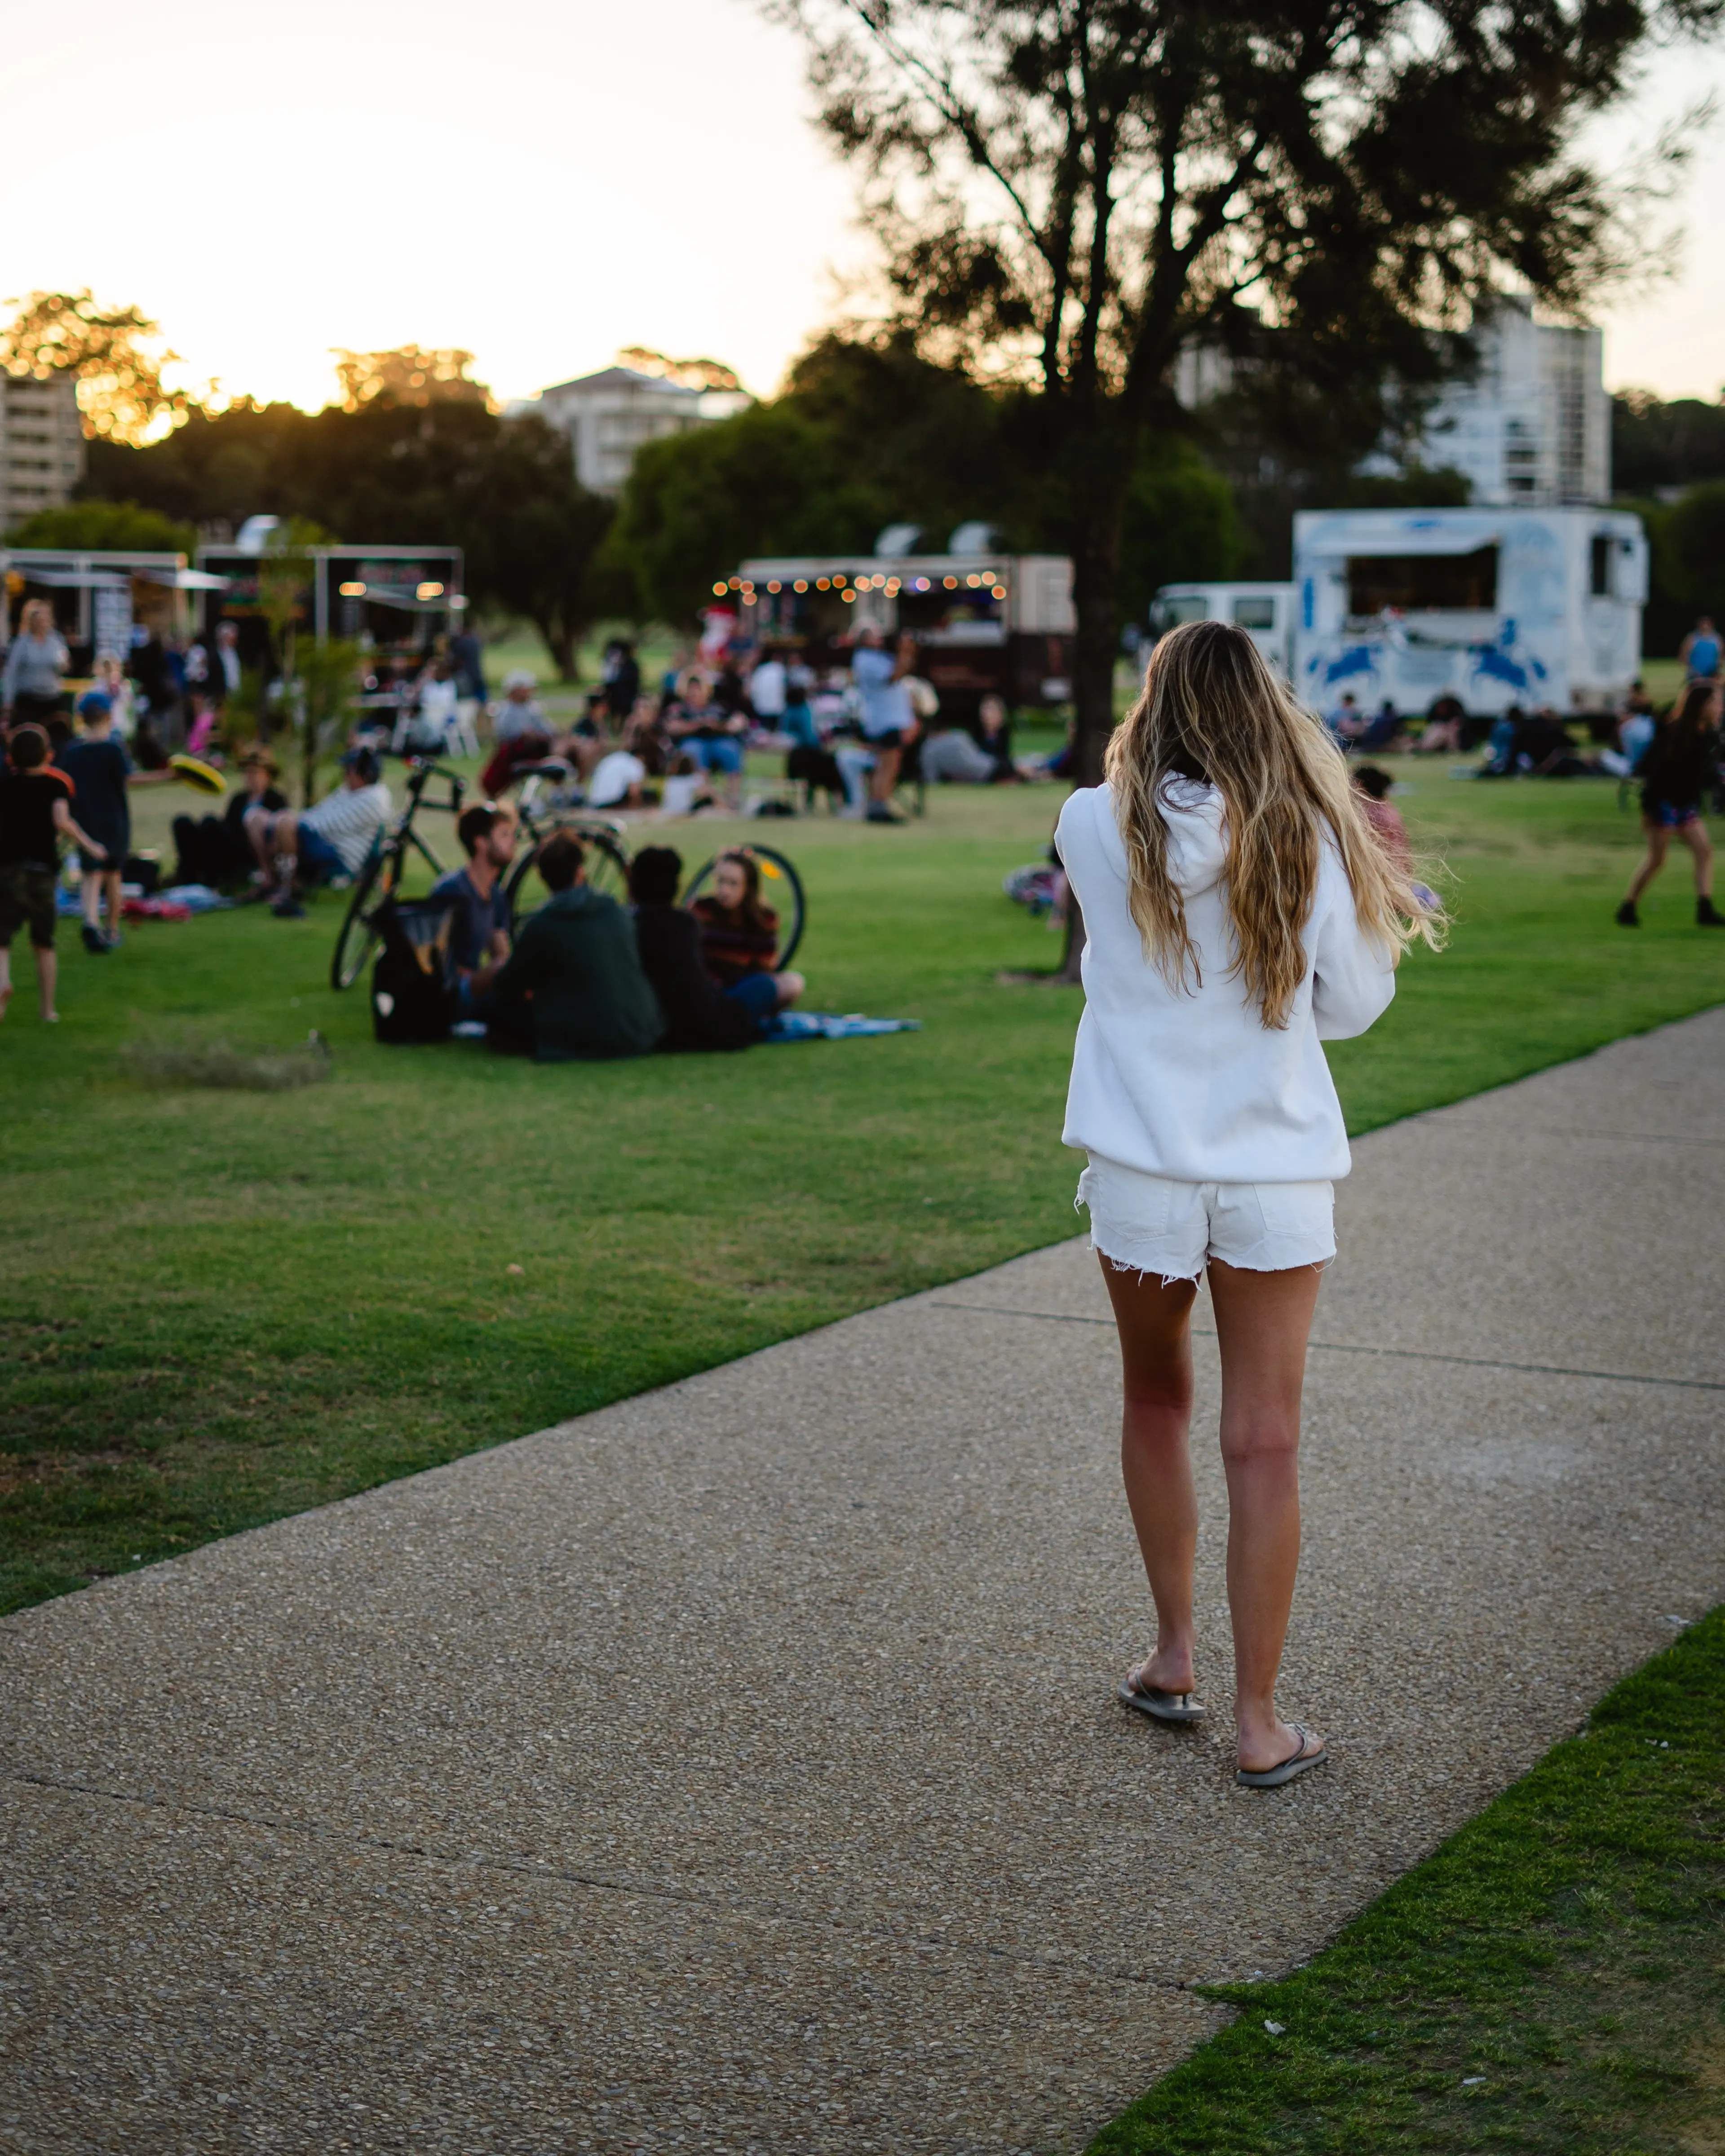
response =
{"points": [[1241, 911]]}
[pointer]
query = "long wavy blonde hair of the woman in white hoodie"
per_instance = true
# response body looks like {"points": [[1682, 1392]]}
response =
{"points": [[1213, 710]]}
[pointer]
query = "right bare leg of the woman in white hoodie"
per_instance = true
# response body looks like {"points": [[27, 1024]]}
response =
{"points": [[1262, 1325]]}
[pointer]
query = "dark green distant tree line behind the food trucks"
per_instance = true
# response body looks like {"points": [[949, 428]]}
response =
{"points": [[868, 432]]}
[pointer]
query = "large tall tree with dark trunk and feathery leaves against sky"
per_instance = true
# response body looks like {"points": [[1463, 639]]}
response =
{"points": [[1071, 191]]}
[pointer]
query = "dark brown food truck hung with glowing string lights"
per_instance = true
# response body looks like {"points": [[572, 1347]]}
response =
{"points": [[984, 624]]}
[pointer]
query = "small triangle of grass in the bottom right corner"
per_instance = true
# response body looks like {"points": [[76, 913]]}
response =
{"points": [[1551, 1980]]}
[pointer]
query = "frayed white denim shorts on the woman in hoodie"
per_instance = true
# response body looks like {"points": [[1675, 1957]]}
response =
{"points": [[1148, 1224]]}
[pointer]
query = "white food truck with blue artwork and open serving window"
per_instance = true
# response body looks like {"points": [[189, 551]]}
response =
{"points": [[1493, 607]]}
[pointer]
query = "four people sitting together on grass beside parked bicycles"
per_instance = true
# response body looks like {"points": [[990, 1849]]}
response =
{"points": [[590, 978]]}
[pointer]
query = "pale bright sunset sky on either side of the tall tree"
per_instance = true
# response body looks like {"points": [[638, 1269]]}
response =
{"points": [[536, 182]]}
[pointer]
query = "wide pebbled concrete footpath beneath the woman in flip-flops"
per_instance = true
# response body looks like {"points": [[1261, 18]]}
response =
{"points": [[739, 1769]]}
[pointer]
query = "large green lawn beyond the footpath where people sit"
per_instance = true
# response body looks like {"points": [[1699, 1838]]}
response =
{"points": [[221, 1305]]}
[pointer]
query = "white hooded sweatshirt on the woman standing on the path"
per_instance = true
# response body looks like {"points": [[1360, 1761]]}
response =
{"points": [[1191, 1083]]}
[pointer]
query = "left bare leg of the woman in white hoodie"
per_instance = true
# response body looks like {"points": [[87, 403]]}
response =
{"points": [[1157, 1465]]}
